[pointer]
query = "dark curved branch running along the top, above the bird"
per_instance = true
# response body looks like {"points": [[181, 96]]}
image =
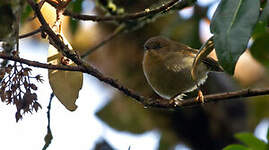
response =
{"points": [[132, 16]]}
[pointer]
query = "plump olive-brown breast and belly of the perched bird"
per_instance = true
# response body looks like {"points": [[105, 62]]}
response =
{"points": [[168, 77]]}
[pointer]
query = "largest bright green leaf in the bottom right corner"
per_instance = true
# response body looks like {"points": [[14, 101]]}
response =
{"points": [[251, 141]]}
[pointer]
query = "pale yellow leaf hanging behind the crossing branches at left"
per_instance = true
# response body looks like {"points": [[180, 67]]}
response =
{"points": [[65, 84]]}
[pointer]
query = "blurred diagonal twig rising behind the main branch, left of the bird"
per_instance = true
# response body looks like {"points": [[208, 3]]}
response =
{"points": [[115, 33]]}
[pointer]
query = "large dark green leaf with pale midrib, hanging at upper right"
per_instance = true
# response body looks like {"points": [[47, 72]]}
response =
{"points": [[232, 26]]}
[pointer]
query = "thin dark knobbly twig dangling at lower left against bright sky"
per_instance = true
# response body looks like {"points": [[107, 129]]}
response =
{"points": [[48, 138]]}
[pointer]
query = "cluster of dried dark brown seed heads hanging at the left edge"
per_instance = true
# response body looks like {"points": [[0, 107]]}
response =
{"points": [[18, 89]]}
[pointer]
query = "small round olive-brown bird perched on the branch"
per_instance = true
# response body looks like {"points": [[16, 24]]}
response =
{"points": [[173, 69]]}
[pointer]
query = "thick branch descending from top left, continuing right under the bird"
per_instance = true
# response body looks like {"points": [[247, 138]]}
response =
{"points": [[161, 103]]}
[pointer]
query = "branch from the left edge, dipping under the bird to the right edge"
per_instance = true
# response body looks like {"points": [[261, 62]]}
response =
{"points": [[148, 102]]}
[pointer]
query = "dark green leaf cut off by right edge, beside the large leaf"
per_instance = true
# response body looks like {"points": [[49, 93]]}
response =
{"points": [[260, 49]]}
